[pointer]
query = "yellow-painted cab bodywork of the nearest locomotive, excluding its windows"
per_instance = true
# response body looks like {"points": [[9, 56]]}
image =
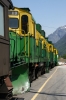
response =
{"points": [[30, 25]]}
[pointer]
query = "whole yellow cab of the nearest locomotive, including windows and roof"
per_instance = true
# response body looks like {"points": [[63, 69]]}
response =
{"points": [[20, 20]]}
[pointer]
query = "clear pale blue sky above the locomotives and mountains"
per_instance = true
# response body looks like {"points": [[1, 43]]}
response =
{"points": [[51, 14]]}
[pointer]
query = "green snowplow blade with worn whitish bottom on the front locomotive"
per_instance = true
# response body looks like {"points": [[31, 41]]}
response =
{"points": [[20, 79]]}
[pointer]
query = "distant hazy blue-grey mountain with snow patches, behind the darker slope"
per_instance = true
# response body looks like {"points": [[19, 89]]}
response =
{"points": [[58, 34]]}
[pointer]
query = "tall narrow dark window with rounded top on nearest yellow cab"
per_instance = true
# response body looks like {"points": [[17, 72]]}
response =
{"points": [[24, 23]]}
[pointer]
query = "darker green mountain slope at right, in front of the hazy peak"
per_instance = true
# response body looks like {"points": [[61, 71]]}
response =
{"points": [[61, 45]]}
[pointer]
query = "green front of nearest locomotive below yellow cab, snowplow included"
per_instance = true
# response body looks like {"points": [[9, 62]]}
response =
{"points": [[20, 72]]}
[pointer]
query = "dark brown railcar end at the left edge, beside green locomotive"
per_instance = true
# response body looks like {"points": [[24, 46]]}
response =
{"points": [[5, 84]]}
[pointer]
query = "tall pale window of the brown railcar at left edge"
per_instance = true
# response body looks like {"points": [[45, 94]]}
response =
{"points": [[1, 20]]}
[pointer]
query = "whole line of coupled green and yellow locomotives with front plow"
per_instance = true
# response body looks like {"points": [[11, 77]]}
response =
{"points": [[31, 54]]}
